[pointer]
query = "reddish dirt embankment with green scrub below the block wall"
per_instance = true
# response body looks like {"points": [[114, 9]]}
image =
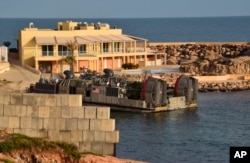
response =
{"points": [[23, 149]]}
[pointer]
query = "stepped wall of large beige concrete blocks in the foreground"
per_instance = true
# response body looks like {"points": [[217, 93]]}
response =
{"points": [[59, 117]]}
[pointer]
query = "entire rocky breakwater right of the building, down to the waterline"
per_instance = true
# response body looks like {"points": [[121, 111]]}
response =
{"points": [[210, 60]]}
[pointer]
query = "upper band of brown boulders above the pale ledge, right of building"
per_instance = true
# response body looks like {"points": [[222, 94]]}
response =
{"points": [[207, 58]]}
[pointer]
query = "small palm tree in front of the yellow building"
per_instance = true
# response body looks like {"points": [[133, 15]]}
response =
{"points": [[72, 46]]}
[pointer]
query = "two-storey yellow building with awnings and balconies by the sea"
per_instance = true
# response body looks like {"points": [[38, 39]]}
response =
{"points": [[98, 46]]}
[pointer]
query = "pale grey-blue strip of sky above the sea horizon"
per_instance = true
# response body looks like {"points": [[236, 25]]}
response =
{"points": [[122, 8]]}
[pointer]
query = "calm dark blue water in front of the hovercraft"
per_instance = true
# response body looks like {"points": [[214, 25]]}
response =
{"points": [[195, 135]]}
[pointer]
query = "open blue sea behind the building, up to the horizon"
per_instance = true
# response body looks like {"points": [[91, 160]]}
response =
{"points": [[153, 29]]}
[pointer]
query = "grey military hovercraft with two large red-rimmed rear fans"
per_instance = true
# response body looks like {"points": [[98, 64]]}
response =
{"points": [[151, 95]]}
